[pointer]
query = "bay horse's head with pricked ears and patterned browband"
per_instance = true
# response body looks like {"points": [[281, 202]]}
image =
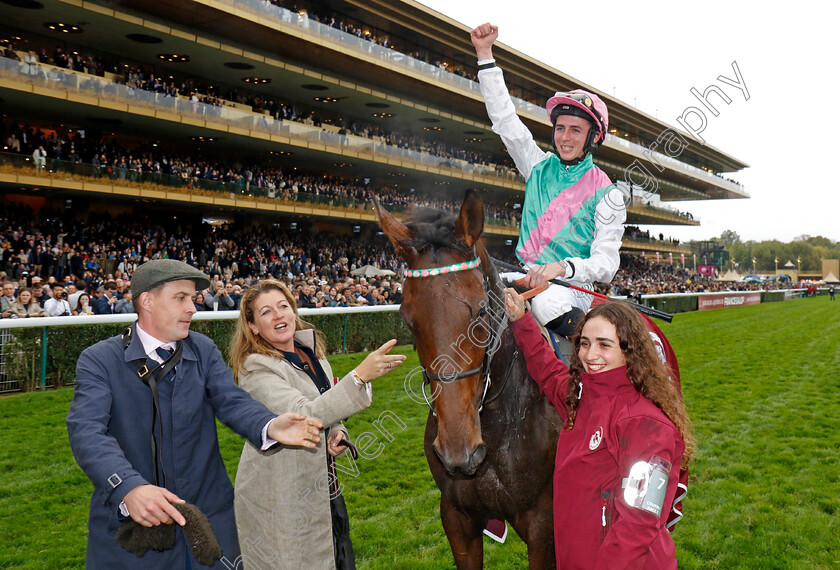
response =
{"points": [[447, 308]]}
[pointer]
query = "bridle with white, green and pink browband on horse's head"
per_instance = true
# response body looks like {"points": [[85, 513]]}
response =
{"points": [[495, 311]]}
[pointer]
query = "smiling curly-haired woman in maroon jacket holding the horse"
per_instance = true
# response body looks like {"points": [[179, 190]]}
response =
{"points": [[625, 436]]}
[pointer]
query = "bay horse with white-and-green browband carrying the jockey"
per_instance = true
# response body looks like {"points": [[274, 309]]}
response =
{"points": [[490, 436]]}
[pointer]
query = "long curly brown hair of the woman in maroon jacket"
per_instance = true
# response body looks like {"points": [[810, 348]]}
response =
{"points": [[645, 370]]}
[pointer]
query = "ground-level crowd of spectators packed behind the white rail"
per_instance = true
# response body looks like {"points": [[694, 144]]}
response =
{"points": [[54, 267]]}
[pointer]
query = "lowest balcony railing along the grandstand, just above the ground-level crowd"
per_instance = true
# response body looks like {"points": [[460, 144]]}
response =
{"points": [[125, 175]]}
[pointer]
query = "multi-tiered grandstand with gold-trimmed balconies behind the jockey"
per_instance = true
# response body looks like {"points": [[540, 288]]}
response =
{"points": [[293, 115]]}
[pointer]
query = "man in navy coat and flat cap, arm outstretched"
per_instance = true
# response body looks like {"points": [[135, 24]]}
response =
{"points": [[111, 422]]}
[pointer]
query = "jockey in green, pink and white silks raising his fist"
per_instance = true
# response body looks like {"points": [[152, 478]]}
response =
{"points": [[573, 216]]}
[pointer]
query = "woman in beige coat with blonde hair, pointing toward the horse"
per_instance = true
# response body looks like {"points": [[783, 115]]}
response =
{"points": [[282, 496]]}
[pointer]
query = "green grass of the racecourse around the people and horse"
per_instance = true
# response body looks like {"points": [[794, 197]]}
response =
{"points": [[762, 384]]}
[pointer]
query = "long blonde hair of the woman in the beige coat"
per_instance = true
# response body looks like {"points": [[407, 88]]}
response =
{"points": [[245, 342]]}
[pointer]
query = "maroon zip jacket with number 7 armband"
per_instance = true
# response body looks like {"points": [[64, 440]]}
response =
{"points": [[615, 428]]}
